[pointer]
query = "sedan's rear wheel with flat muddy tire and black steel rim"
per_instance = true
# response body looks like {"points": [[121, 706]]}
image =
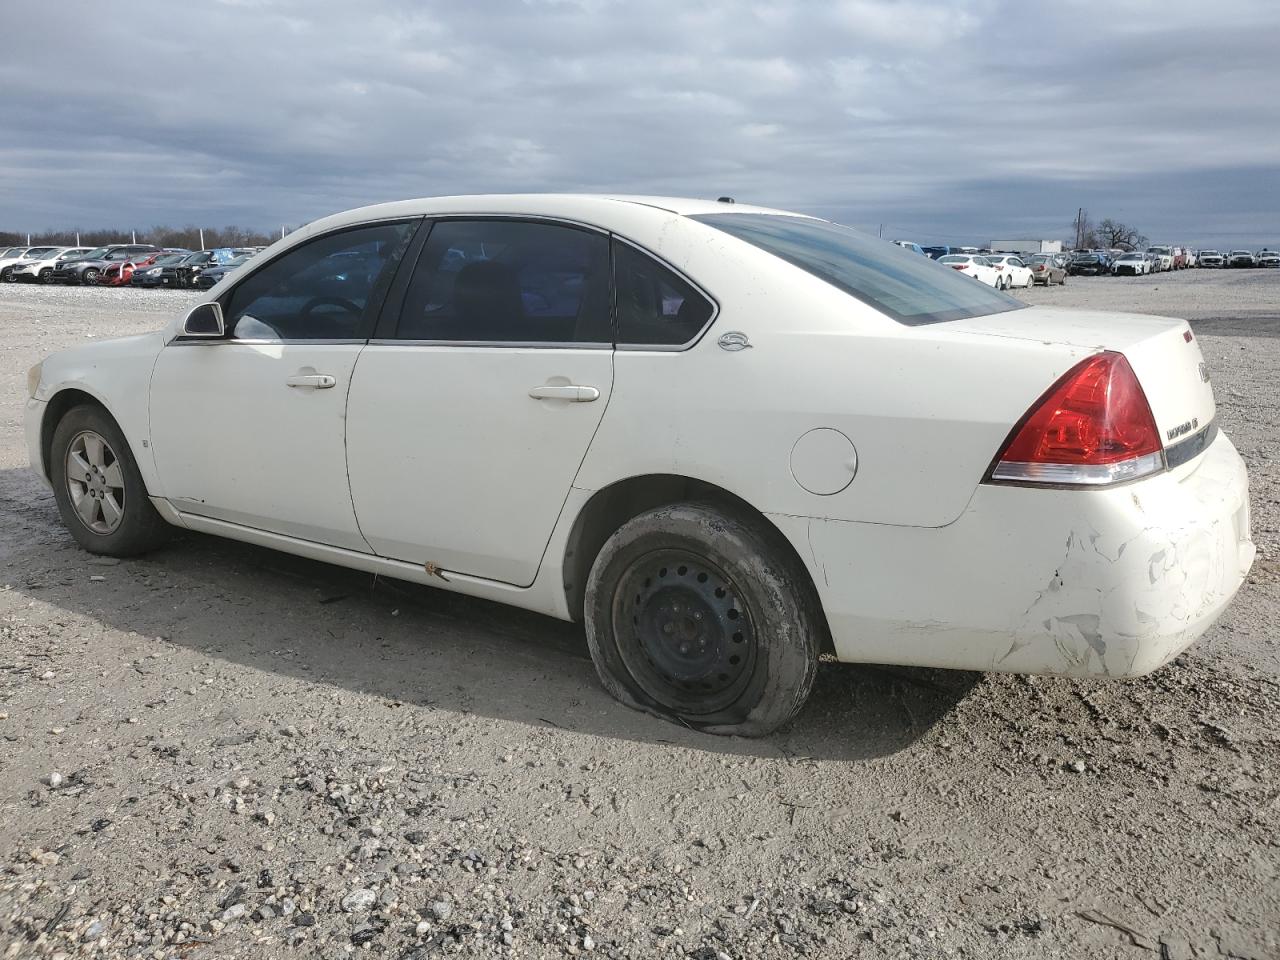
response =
{"points": [[703, 616]]}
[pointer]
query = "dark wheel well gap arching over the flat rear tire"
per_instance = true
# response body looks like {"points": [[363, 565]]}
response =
{"points": [[614, 506]]}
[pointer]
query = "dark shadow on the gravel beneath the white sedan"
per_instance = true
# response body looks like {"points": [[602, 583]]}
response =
{"points": [[414, 644]]}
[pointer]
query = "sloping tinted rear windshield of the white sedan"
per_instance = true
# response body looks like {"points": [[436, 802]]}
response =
{"points": [[898, 282]]}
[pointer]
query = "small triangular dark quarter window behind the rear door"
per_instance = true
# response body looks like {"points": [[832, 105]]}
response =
{"points": [[656, 305]]}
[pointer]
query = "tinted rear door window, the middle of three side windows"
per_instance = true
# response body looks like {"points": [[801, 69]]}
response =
{"points": [[509, 282]]}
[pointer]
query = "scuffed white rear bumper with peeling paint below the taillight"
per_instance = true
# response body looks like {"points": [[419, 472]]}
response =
{"points": [[1078, 583]]}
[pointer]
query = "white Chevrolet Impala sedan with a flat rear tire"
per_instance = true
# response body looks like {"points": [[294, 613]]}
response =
{"points": [[725, 438]]}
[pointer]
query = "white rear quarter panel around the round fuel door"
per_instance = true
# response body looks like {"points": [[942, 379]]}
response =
{"points": [[925, 409]]}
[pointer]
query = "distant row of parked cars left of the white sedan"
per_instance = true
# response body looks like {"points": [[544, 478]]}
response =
{"points": [[121, 266]]}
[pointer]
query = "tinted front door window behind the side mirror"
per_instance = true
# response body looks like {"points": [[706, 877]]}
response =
{"points": [[321, 291]]}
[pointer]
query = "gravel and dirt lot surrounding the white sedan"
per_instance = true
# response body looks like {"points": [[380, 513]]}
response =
{"points": [[223, 752]]}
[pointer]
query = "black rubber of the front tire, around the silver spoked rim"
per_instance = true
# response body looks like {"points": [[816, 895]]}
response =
{"points": [[140, 528]]}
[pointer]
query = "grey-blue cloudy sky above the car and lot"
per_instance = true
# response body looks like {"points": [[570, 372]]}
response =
{"points": [[948, 122]]}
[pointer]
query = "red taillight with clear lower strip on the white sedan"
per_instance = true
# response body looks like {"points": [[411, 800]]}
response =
{"points": [[1094, 427]]}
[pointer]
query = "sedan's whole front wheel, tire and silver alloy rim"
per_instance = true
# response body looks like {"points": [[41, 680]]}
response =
{"points": [[98, 487]]}
